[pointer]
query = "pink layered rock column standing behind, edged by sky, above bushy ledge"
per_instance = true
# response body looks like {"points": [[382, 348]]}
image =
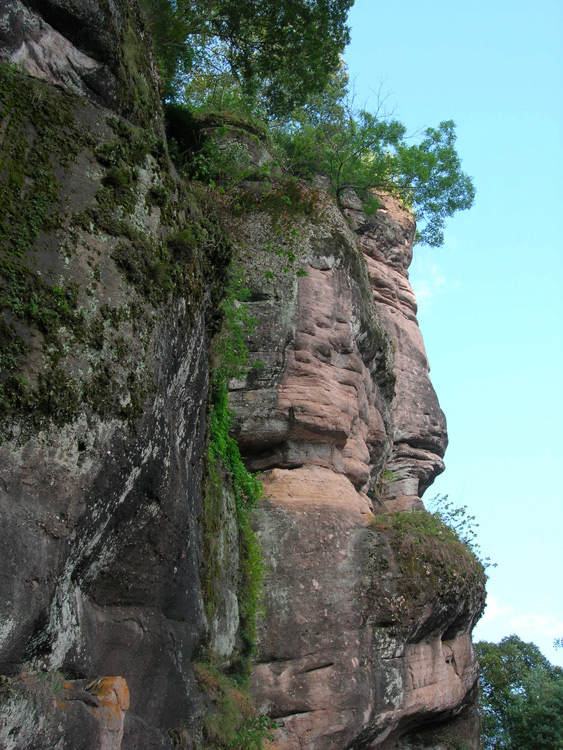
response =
{"points": [[419, 425]]}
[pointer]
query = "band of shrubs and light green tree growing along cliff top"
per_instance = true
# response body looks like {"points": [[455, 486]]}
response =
{"points": [[353, 150]]}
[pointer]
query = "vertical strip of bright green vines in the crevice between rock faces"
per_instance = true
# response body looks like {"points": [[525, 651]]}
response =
{"points": [[232, 724]]}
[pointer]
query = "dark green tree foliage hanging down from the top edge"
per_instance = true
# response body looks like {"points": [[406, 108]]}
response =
{"points": [[282, 52]]}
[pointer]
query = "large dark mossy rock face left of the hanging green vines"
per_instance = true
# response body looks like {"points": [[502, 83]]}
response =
{"points": [[100, 467]]}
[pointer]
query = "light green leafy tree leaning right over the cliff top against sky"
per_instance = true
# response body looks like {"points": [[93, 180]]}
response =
{"points": [[364, 151]]}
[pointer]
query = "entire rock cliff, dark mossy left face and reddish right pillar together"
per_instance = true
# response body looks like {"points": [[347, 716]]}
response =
{"points": [[121, 544]]}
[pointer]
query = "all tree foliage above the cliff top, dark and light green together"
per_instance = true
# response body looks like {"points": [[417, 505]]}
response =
{"points": [[280, 63]]}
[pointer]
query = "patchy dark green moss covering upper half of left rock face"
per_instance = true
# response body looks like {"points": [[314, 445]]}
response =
{"points": [[65, 350]]}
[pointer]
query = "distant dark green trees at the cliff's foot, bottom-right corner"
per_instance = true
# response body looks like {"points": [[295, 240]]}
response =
{"points": [[521, 697]]}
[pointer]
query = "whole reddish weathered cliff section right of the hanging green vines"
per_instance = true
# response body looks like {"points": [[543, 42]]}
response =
{"points": [[350, 656]]}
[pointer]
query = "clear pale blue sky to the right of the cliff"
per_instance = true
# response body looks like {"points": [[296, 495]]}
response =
{"points": [[491, 299]]}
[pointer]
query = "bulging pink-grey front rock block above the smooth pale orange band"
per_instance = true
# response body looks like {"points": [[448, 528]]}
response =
{"points": [[321, 397]]}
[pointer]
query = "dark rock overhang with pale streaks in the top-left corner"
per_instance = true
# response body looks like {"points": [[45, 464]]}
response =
{"points": [[97, 50]]}
